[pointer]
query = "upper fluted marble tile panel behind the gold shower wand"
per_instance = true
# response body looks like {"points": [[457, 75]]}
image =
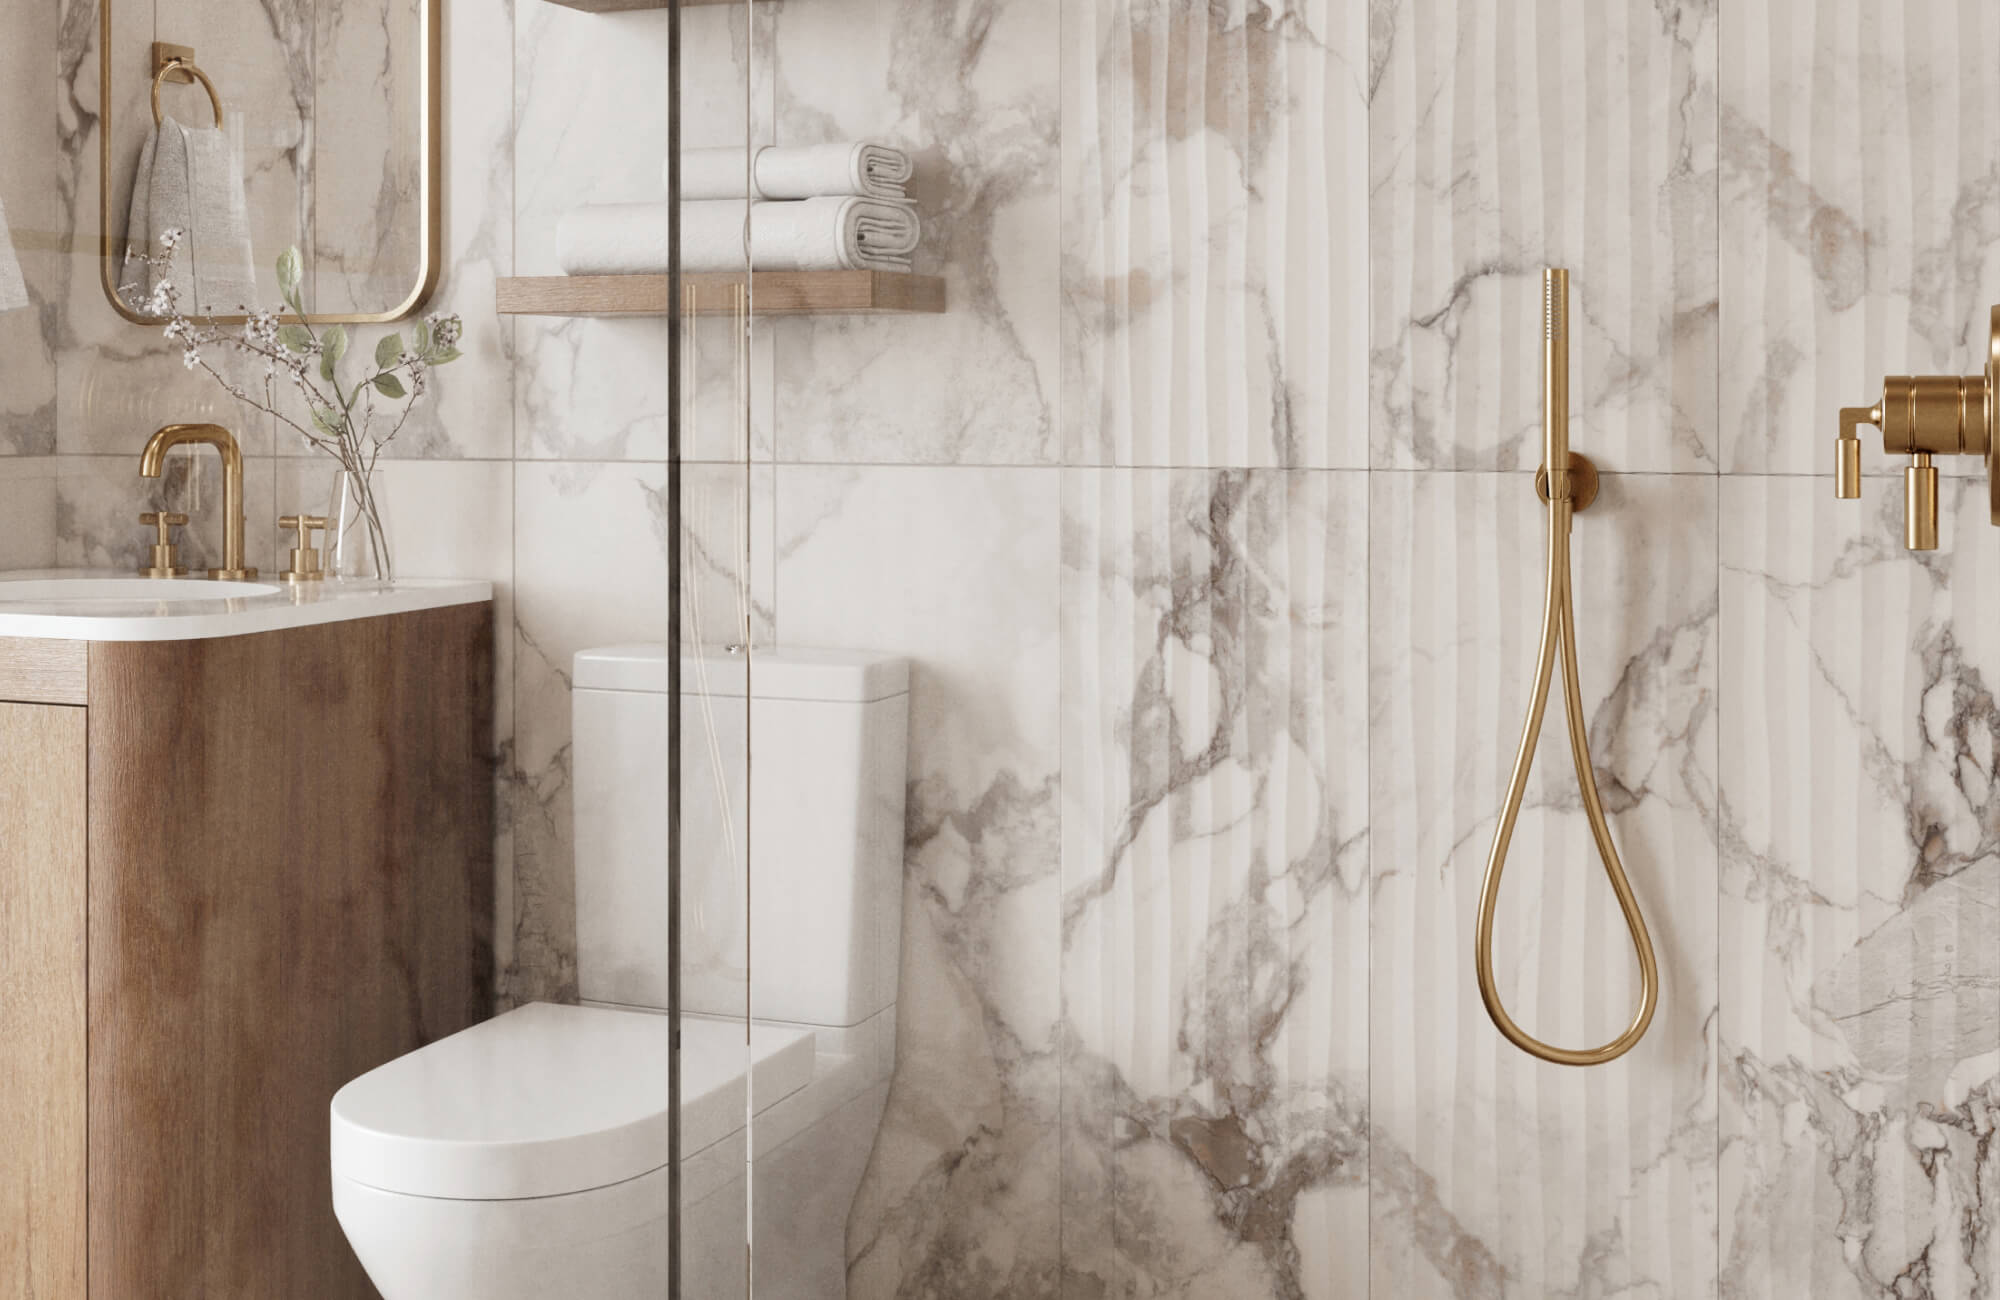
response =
{"points": [[1505, 139]]}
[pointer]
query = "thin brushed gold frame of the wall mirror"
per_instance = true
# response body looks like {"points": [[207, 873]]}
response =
{"points": [[429, 175]]}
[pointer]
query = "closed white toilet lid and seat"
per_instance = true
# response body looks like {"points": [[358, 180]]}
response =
{"points": [[555, 1099]]}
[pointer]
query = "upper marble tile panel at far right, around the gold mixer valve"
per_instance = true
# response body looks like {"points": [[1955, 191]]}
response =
{"points": [[1861, 213]]}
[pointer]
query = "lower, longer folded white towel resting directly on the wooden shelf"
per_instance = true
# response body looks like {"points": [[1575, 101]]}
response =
{"points": [[809, 235]]}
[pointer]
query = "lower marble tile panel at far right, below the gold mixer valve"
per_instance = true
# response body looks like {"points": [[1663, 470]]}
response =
{"points": [[1861, 899]]}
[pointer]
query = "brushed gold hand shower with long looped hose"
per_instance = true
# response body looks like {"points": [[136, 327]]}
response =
{"points": [[1559, 643]]}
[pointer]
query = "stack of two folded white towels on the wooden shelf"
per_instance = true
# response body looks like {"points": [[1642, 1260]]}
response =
{"points": [[821, 207]]}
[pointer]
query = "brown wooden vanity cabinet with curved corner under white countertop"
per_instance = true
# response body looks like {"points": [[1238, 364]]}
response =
{"points": [[235, 875]]}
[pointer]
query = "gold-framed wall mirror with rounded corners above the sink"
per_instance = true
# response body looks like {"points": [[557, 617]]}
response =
{"points": [[337, 135]]}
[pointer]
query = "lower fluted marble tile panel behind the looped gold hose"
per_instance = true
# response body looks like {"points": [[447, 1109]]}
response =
{"points": [[1495, 1175]]}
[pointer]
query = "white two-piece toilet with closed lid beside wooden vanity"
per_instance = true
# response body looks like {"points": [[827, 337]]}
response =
{"points": [[529, 1155]]}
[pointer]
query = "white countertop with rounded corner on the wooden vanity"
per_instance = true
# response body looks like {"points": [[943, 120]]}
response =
{"points": [[287, 607]]}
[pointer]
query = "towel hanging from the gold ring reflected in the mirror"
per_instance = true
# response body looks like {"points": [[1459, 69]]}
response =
{"points": [[191, 179]]}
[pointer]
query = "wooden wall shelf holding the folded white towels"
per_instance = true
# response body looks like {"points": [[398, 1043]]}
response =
{"points": [[777, 293]]}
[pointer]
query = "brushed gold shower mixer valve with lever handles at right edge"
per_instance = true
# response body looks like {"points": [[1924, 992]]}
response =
{"points": [[1923, 417]]}
